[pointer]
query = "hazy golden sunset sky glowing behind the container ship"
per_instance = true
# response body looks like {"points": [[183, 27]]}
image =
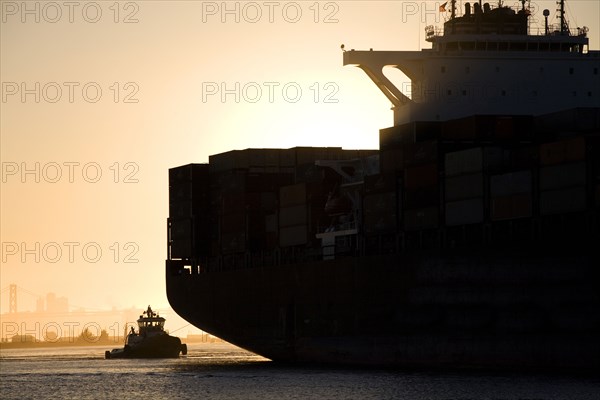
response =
{"points": [[100, 99]]}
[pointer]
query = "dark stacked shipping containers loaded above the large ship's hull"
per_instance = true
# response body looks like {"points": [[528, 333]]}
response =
{"points": [[437, 180]]}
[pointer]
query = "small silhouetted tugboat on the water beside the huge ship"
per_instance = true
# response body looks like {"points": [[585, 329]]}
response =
{"points": [[151, 340]]}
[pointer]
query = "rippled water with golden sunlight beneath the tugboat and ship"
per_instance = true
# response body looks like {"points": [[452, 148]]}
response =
{"points": [[221, 371]]}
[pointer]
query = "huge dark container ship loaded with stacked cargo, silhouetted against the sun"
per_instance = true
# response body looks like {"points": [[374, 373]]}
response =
{"points": [[468, 239]]}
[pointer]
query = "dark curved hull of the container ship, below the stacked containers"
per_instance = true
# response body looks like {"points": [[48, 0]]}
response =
{"points": [[534, 309]]}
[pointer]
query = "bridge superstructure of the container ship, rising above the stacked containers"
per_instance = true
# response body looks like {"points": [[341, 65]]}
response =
{"points": [[486, 62]]}
